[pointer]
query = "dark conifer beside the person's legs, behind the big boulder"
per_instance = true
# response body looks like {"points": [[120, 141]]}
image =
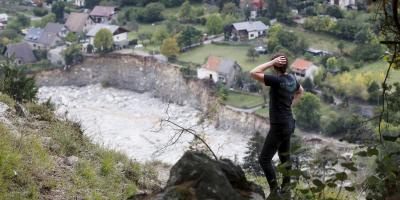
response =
{"points": [[254, 147]]}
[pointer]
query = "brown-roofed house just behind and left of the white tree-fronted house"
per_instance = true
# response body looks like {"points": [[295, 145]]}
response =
{"points": [[77, 22]]}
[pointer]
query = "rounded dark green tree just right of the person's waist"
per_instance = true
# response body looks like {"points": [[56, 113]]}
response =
{"points": [[308, 111]]}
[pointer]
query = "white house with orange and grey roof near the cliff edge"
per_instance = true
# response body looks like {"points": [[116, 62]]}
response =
{"points": [[219, 70]]}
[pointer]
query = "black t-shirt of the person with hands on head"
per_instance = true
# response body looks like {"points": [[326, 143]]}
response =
{"points": [[283, 89]]}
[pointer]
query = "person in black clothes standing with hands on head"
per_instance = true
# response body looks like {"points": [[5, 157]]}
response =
{"points": [[284, 91]]}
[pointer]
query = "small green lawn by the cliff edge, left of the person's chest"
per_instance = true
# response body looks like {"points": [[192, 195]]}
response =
{"points": [[243, 100]]}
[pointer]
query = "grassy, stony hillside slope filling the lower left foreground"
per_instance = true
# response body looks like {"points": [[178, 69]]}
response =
{"points": [[42, 157]]}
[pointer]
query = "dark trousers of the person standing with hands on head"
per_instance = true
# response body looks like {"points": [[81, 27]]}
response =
{"points": [[278, 139]]}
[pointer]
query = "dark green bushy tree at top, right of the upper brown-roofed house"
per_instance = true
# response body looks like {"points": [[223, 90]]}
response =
{"points": [[151, 13]]}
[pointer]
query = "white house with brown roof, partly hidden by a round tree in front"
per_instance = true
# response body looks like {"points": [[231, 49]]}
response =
{"points": [[120, 35]]}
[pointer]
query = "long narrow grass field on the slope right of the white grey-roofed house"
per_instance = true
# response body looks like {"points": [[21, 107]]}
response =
{"points": [[321, 40]]}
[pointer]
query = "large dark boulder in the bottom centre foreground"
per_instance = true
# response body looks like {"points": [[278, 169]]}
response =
{"points": [[196, 176]]}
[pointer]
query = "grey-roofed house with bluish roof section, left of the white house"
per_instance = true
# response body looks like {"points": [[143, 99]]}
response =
{"points": [[46, 38]]}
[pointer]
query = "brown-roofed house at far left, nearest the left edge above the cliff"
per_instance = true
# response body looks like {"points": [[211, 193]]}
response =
{"points": [[21, 53]]}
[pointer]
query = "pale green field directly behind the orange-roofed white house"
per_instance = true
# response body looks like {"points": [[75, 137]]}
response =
{"points": [[199, 54]]}
